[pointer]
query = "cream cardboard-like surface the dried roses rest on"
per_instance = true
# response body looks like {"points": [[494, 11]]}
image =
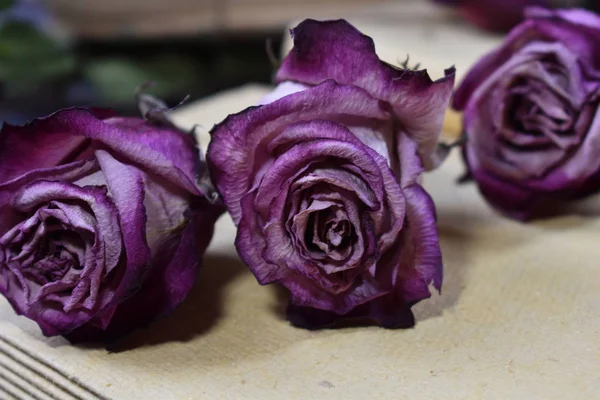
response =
{"points": [[519, 318]]}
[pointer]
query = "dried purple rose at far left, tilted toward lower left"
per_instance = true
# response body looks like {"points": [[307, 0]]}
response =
{"points": [[97, 222]]}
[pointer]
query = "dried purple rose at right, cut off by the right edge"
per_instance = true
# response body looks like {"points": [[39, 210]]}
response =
{"points": [[530, 113]]}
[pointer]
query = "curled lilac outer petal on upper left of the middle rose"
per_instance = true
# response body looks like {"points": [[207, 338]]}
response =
{"points": [[238, 146]]}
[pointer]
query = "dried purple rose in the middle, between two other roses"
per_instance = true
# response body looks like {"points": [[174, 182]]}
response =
{"points": [[322, 180]]}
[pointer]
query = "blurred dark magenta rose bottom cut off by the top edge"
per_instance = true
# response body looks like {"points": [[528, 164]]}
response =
{"points": [[494, 15]]}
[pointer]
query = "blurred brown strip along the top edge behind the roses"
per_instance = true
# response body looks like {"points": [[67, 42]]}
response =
{"points": [[151, 18]]}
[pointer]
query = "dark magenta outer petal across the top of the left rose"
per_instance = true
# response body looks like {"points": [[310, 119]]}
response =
{"points": [[68, 136]]}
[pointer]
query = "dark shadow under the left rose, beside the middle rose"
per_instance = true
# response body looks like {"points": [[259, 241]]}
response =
{"points": [[199, 312]]}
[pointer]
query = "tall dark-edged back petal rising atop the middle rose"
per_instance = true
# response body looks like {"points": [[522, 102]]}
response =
{"points": [[338, 51]]}
